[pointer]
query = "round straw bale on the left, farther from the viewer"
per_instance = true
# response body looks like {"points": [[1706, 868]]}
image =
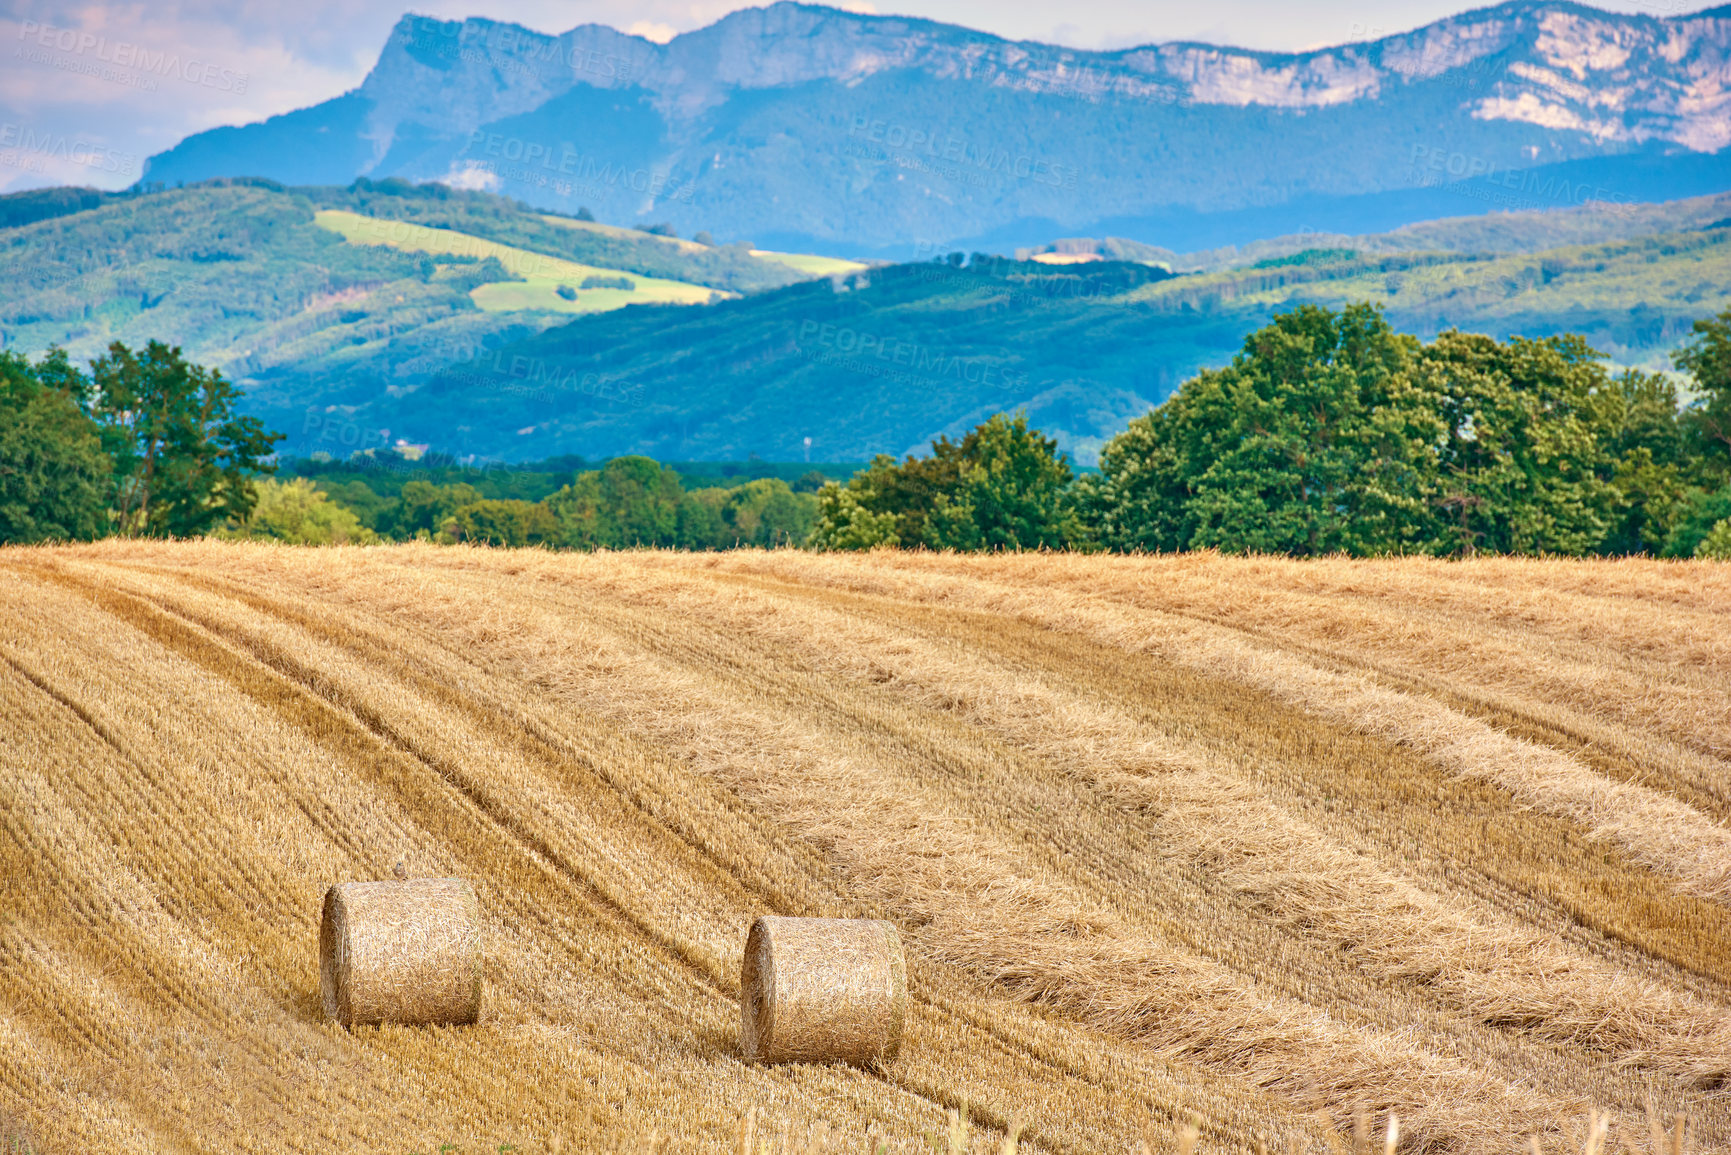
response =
{"points": [[401, 953]]}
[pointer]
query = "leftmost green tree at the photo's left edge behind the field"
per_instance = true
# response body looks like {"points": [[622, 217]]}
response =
{"points": [[55, 477]]}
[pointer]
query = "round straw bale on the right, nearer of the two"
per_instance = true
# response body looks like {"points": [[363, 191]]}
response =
{"points": [[823, 990]]}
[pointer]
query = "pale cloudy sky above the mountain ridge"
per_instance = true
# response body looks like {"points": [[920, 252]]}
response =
{"points": [[267, 56]]}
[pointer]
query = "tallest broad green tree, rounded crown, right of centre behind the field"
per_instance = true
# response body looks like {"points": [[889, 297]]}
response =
{"points": [[1313, 441]]}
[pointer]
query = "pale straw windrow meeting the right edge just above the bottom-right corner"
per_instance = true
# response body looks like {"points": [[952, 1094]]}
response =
{"points": [[1564, 997]]}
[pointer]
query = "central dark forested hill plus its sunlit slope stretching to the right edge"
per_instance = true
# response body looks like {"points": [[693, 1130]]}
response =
{"points": [[889, 359]]}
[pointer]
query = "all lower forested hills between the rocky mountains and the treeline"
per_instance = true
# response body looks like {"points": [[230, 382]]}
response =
{"points": [[349, 347]]}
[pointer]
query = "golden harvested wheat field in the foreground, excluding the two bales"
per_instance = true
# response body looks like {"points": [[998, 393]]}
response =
{"points": [[1252, 842]]}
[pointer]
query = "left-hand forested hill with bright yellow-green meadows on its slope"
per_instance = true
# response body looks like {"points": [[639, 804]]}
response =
{"points": [[243, 278]]}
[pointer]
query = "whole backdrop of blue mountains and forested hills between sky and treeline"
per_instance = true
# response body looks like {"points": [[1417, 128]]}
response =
{"points": [[411, 262]]}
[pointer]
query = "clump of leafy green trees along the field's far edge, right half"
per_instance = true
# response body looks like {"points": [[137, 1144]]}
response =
{"points": [[1332, 434]]}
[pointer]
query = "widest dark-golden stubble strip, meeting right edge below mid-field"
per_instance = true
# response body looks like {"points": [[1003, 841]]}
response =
{"points": [[1661, 926]]}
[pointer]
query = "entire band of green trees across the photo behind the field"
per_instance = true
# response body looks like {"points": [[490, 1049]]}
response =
{"points": [[1329, 434]]}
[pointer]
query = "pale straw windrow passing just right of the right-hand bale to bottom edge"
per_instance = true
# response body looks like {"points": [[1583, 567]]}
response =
{"points": [[1067, 955]]}
